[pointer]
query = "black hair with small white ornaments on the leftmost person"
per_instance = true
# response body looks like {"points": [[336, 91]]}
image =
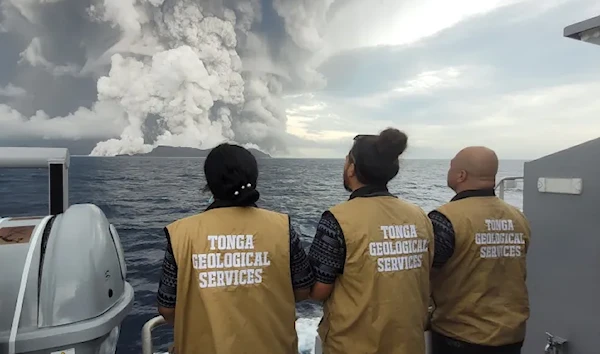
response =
{"points": [[231, 174]]}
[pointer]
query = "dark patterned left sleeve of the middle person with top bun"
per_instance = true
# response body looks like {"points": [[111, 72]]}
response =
{"points": [[327, 253]]}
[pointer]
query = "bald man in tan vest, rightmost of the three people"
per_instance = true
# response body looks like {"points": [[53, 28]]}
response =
{"points": [[478, 285]]}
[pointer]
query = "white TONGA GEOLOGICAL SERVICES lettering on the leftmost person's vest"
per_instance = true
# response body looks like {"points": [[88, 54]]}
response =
{"points": [[225, 268]]}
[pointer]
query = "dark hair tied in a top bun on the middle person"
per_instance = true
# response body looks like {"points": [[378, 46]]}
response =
{"points": [[375, 157]]}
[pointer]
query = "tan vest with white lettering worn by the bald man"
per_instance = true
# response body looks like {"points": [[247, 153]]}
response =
{"points": [[480, 293]]}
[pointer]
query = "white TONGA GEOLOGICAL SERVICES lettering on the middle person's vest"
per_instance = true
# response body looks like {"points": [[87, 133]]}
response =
{"points": [[404, 251]]}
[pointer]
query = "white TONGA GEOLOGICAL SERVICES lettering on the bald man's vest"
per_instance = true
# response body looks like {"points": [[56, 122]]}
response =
{"points": [[501, 240]]}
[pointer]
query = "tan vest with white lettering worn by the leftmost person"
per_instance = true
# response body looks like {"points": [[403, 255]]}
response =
{"points": [[234, 288]]}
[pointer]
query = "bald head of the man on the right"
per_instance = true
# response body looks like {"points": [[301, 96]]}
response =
{"points": [[474, 167]]}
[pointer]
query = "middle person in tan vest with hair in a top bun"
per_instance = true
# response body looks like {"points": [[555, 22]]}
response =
{"points": [[371, 257]]}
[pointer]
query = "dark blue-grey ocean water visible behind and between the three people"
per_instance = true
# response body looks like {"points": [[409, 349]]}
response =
{"points": [[142, 195]]}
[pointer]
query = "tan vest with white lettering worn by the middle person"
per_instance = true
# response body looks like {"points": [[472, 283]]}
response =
{"points": [[379, 305]]}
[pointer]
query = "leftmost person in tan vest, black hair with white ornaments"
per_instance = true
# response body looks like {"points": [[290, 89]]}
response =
{"points": [[233, 273]]}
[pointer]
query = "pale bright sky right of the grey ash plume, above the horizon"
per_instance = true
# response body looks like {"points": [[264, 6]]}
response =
{"points": [[499, 79]]}
